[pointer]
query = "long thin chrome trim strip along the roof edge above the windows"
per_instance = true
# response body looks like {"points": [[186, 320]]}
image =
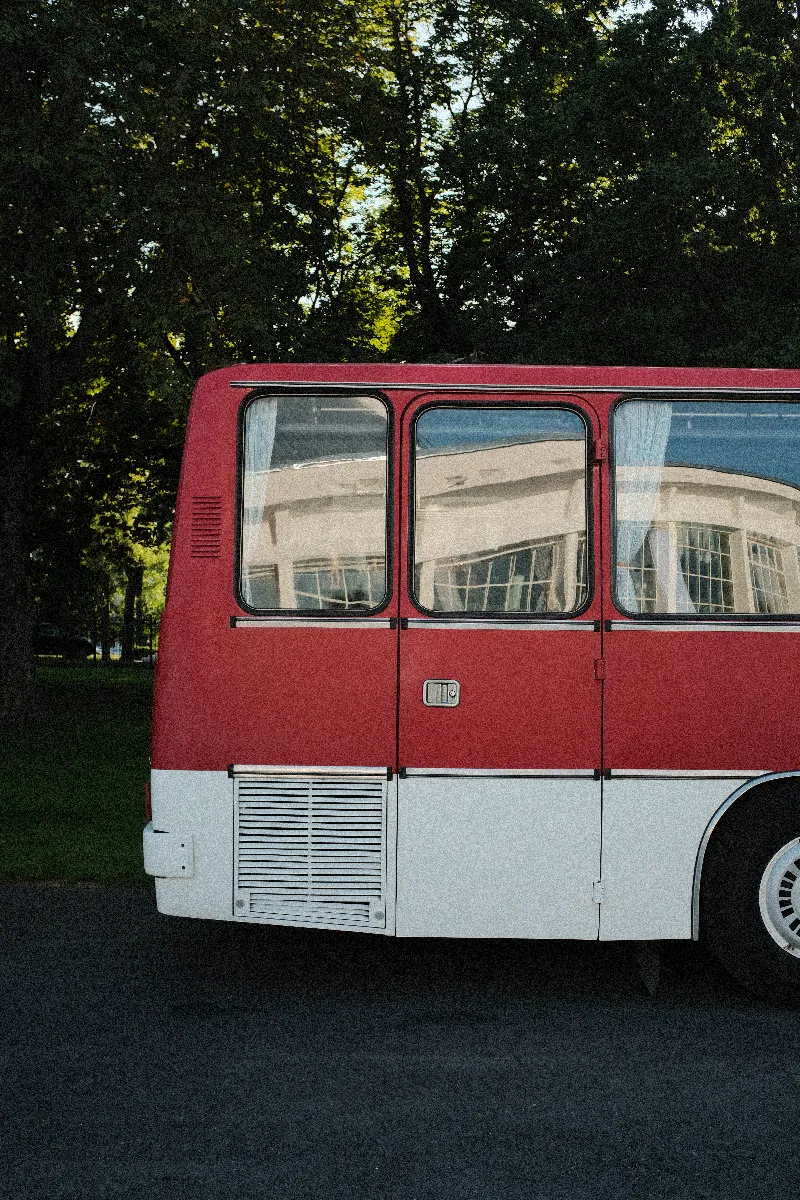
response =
{"points": [[575, 389]]}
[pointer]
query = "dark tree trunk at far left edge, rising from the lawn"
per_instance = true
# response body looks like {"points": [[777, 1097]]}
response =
{"points": [[17, 663]]}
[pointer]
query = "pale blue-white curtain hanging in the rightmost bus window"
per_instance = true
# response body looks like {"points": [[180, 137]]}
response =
{"points": [[641, 436]]}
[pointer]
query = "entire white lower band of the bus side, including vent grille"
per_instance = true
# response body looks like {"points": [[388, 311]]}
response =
{"points": [[464, 857]]}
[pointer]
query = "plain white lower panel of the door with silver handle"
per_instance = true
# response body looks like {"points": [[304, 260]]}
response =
{"points": [[498, 857]]}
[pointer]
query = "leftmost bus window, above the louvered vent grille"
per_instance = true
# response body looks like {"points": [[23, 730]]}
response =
{"points": [[314, 520]]}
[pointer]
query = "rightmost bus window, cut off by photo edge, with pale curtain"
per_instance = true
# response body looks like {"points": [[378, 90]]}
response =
{"points": [[707, 508]]}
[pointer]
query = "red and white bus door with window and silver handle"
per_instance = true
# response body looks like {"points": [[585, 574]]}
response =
{"points": [[500, 693]]}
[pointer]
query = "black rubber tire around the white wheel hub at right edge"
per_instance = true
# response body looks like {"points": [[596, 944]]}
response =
{"points": [[741, 905]]}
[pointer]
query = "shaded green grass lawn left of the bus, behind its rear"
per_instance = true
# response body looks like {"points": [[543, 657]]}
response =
{"points": [[73, 789]]}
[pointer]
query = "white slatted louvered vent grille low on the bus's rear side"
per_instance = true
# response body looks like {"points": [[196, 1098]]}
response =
{"points": [[311, 851]]}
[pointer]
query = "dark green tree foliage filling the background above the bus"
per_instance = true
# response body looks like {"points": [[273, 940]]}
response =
{"points": [[184, 187]]}
